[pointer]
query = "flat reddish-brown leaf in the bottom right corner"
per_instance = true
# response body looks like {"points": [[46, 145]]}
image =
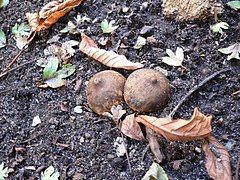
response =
{"points": [[217, 159]]}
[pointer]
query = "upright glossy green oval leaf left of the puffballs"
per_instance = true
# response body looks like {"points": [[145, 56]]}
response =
{"points": [[51, 68]]}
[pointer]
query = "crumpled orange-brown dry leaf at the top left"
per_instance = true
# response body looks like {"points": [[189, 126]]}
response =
{"points": [[50, 14]]}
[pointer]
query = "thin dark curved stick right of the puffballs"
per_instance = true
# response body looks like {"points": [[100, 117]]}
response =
{"points": [[195, 88]]}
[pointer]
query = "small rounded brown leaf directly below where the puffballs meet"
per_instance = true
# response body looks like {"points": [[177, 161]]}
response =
{"points": [[131, 128]]}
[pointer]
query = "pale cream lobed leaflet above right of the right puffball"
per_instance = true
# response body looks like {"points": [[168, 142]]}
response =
{"points": [[174, 60]]}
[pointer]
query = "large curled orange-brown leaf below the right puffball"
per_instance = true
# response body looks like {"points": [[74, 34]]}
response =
{"points": [[198, 127]]}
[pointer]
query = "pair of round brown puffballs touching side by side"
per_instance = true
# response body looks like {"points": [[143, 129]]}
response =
{"points": [[145, 90]]}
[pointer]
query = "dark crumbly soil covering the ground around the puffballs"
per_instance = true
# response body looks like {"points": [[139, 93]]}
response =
{"points": [[82, 144]]}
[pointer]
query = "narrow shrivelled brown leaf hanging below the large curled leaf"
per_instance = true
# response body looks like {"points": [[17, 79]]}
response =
{"points": [[154, 144]]}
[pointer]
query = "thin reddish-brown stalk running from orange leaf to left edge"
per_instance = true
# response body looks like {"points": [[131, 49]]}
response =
{"points": [[30, 38]]}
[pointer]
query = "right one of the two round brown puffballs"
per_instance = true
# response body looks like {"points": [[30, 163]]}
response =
{"points": [[146, 90]]}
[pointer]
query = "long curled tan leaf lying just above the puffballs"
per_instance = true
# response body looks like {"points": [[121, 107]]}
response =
{"points": [[108, 58]]}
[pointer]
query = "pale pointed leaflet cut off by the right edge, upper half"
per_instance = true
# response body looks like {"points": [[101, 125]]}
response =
{"points": [[233, 50]]}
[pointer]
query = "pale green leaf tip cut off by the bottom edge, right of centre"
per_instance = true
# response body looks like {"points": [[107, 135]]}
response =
{"points": [[155, 172]]}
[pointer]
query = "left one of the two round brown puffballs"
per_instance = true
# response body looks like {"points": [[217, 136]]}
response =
{"points": [[104, 90]]}
